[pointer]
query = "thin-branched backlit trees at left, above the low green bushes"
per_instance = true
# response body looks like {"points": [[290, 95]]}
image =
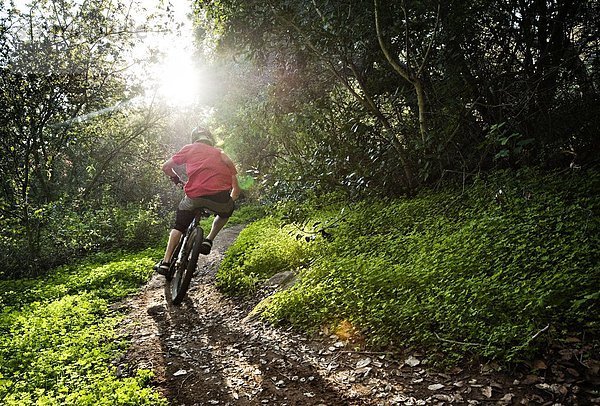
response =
{"points": [[63, 67]]}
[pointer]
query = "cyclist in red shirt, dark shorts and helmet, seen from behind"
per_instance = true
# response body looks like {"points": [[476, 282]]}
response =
{"points": [[212, 183]]}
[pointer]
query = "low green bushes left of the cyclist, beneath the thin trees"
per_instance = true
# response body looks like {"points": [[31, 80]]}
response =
{"points": [[69, 230]]}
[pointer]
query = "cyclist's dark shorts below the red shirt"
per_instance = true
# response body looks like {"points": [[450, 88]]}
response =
{"points": [[220, 203]]}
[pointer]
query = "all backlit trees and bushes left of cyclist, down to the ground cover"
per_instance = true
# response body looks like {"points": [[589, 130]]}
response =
{"points": [[78, 173]]}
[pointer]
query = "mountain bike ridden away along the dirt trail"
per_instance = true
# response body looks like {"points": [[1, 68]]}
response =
{"points": [[186, 258]]}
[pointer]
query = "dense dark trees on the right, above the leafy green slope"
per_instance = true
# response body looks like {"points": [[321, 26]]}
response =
{"points": [[383, 97]]}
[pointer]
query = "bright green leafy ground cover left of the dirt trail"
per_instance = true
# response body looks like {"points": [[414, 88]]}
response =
{"points": [[58, 335]]}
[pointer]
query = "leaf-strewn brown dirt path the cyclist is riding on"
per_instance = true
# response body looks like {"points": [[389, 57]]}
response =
{"points": [[206, 352]]}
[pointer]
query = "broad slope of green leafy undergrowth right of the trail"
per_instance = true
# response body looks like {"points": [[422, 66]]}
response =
{"points": [[499, 270]]}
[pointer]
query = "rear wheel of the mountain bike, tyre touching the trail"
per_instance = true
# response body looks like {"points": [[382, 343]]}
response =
{"points": [[184, 270]]}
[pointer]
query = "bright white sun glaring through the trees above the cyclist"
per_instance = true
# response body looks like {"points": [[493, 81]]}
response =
{"points": [[178, 78]]}
